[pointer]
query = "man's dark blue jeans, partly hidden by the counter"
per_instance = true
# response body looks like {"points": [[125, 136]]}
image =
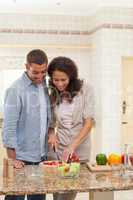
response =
{"points": [[29, 197]]}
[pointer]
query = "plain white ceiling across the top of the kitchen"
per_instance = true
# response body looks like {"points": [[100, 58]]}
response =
{"points": [[66, 7]]}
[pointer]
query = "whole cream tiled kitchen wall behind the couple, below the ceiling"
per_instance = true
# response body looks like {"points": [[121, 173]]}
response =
{"points": [[109, 37]]}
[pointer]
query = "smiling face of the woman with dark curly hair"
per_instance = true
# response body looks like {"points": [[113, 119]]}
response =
{"points": [[60, 80]]}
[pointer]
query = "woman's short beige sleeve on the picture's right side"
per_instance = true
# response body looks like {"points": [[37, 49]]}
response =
{"points": [[89, 103]]}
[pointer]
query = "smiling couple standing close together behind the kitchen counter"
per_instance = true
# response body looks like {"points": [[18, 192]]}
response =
{"points": [[33, 110]]}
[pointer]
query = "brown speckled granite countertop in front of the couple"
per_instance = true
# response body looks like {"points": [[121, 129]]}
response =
{"points": [[21, 182]]}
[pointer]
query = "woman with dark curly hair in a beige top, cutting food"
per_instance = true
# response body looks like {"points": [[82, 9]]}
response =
{"points": [[73, 108]]}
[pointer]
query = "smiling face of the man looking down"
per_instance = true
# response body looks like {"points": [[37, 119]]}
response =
{"points": [[36, 72]]}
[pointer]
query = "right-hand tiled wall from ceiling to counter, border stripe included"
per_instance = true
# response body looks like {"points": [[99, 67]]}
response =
{"points": [[110, 45]]}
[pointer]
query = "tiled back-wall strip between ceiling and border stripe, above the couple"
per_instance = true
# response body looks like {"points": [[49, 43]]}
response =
{"points": [[44, 22]]}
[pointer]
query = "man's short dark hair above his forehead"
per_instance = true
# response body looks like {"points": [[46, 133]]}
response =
{"points": [[37, 56]]}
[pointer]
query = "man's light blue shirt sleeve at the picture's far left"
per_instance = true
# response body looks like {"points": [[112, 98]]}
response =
{"points": [[12, 108]]}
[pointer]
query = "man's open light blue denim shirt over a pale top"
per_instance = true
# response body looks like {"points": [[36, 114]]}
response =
{"points": [[21, 125]]}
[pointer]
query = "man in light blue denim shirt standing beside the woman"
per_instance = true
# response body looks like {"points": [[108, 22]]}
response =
{"points": [[27, 116]]}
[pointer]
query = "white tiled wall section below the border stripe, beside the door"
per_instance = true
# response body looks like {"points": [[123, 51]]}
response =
{"points": [[116, 43]]}
